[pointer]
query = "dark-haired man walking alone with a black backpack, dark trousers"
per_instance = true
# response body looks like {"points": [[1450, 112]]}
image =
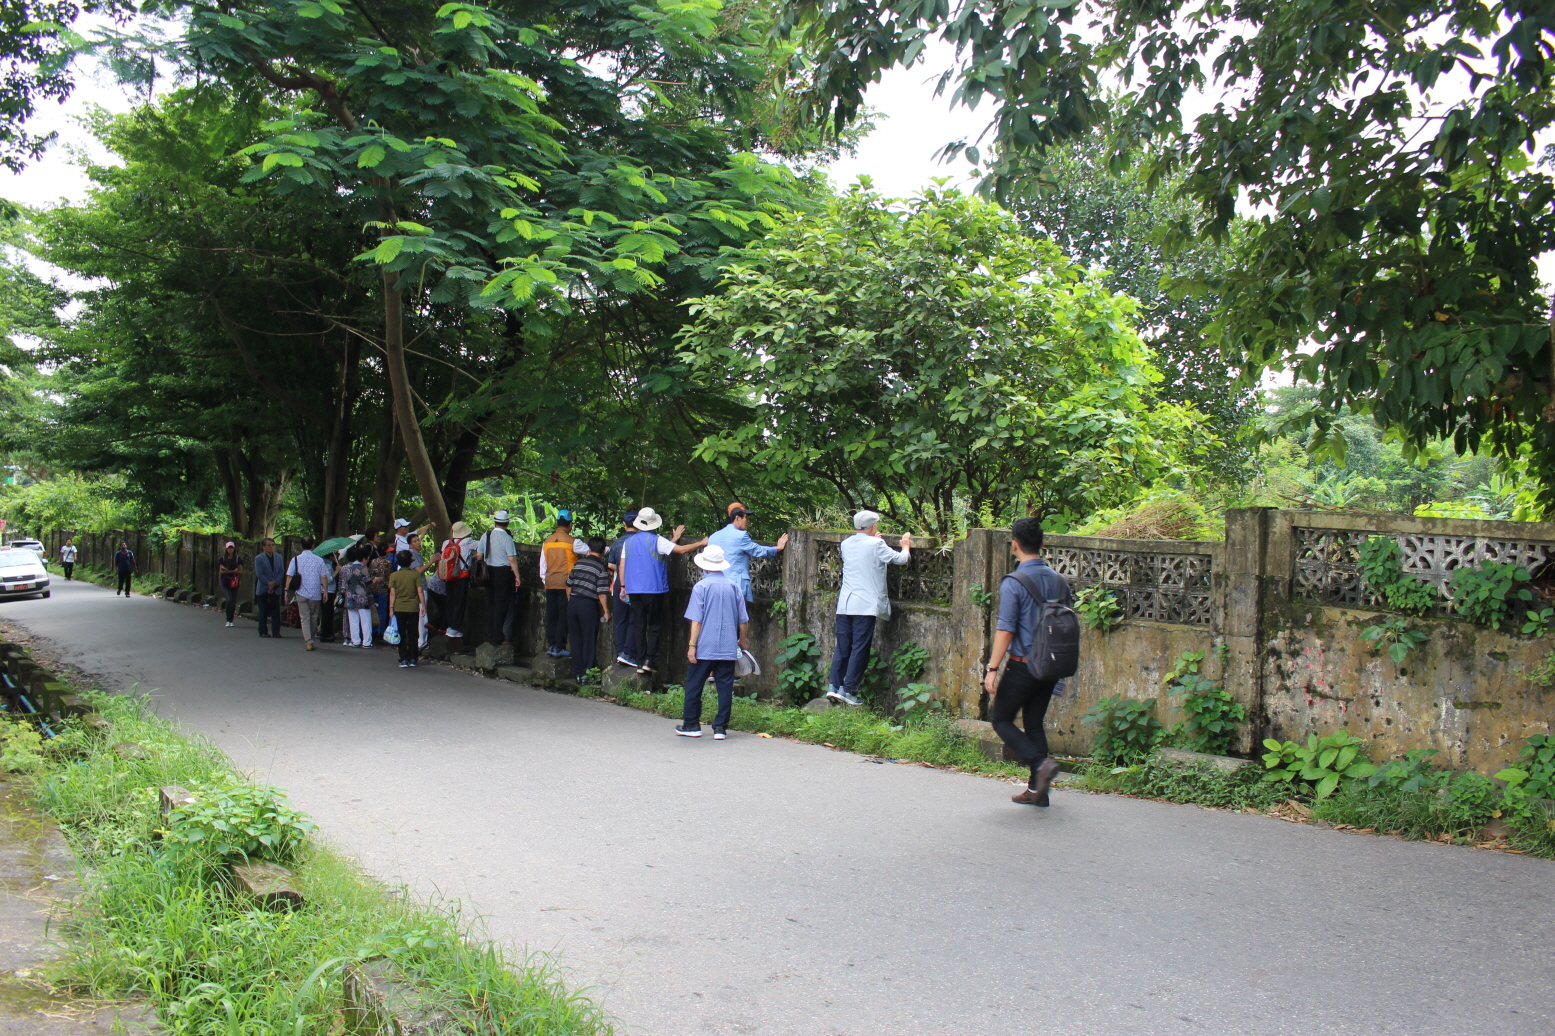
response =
{"points": [[1040, 632]]}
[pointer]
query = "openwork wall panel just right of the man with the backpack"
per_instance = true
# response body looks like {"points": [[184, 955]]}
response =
{"points": [[1156, 587]]}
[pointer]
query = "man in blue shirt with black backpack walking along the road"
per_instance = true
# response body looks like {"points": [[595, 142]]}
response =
{"points": [[1019, 690]]}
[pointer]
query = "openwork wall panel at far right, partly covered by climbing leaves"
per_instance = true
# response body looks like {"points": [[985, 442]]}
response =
{"points": [[1329, 572]]}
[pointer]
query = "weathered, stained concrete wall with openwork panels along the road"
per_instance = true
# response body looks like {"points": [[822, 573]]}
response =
{"points": [[1279, 607]]}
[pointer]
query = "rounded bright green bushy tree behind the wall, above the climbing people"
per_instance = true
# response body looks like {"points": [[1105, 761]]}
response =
{"points": [[932, 360]]}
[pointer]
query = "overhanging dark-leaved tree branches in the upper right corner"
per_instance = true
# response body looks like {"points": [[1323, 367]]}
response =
{"points": [[1388, 156]]}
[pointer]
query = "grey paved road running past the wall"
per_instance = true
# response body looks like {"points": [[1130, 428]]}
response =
{"points": [[767, 887]]}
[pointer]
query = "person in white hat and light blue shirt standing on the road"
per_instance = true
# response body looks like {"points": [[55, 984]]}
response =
{"points": [[719, 625]]}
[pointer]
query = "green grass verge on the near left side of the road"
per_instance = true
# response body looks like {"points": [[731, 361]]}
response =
{"points": [[153, 925]]}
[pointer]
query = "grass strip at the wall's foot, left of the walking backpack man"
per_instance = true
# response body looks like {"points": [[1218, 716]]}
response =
{"points": [[932, 740]]}
